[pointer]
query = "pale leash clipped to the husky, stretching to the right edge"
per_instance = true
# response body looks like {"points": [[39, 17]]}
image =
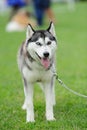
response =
{"points": [[66, 87]]}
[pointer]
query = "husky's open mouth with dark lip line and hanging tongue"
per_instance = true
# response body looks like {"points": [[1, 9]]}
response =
{"points": [[45, 62]]}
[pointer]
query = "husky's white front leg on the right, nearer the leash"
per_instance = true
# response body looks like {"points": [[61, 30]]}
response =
{"points": [[49, 101]]}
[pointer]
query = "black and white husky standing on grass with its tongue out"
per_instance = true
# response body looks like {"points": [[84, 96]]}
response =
{"points": [[36, 62]]}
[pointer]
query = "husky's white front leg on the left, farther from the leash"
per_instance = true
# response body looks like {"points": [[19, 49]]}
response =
{"points": [[28, 104]]}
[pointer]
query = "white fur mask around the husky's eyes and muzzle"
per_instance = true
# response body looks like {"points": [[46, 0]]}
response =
{"points": [[41, 46]]}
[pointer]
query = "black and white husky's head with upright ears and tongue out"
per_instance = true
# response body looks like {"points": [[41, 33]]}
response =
{"points": [[41, 44]]}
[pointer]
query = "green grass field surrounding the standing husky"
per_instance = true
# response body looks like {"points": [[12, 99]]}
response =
{"points": [[70, 110]]}
